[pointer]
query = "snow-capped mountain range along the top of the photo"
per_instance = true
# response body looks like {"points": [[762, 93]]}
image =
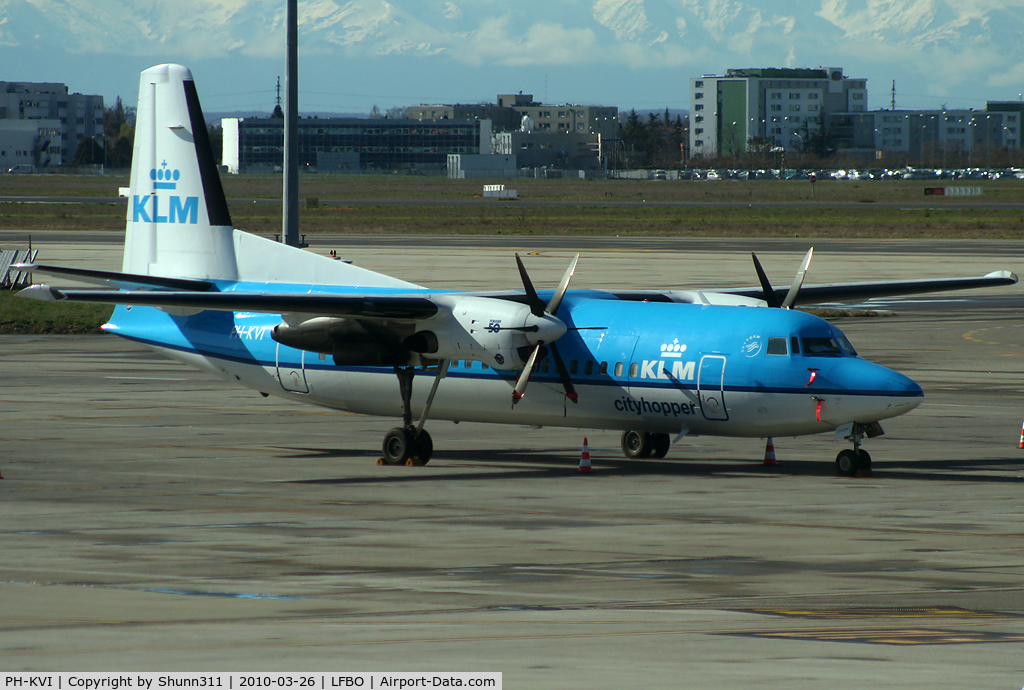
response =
{"points": [[941, 47]]}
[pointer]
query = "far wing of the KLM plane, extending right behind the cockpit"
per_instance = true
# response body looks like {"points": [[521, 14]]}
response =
{"points": [[847, 292]]}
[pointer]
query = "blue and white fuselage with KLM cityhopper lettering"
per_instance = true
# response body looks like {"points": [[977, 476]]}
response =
{"points": [[656, 367]]}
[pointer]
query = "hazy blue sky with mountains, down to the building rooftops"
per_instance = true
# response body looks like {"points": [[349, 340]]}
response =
{"points": [[630, 54]]}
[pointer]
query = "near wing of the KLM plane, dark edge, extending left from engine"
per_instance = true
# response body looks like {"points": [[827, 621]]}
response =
{"points": [[393, 308]]}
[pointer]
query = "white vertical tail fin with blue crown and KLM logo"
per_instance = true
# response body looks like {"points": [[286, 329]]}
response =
{"points": [[179, 224]]}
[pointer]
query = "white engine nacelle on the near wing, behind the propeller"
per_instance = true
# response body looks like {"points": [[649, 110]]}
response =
{"points": [[492, 331]]}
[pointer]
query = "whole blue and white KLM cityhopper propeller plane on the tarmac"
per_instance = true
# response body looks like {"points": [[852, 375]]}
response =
{"points": [[655, 365]]}
